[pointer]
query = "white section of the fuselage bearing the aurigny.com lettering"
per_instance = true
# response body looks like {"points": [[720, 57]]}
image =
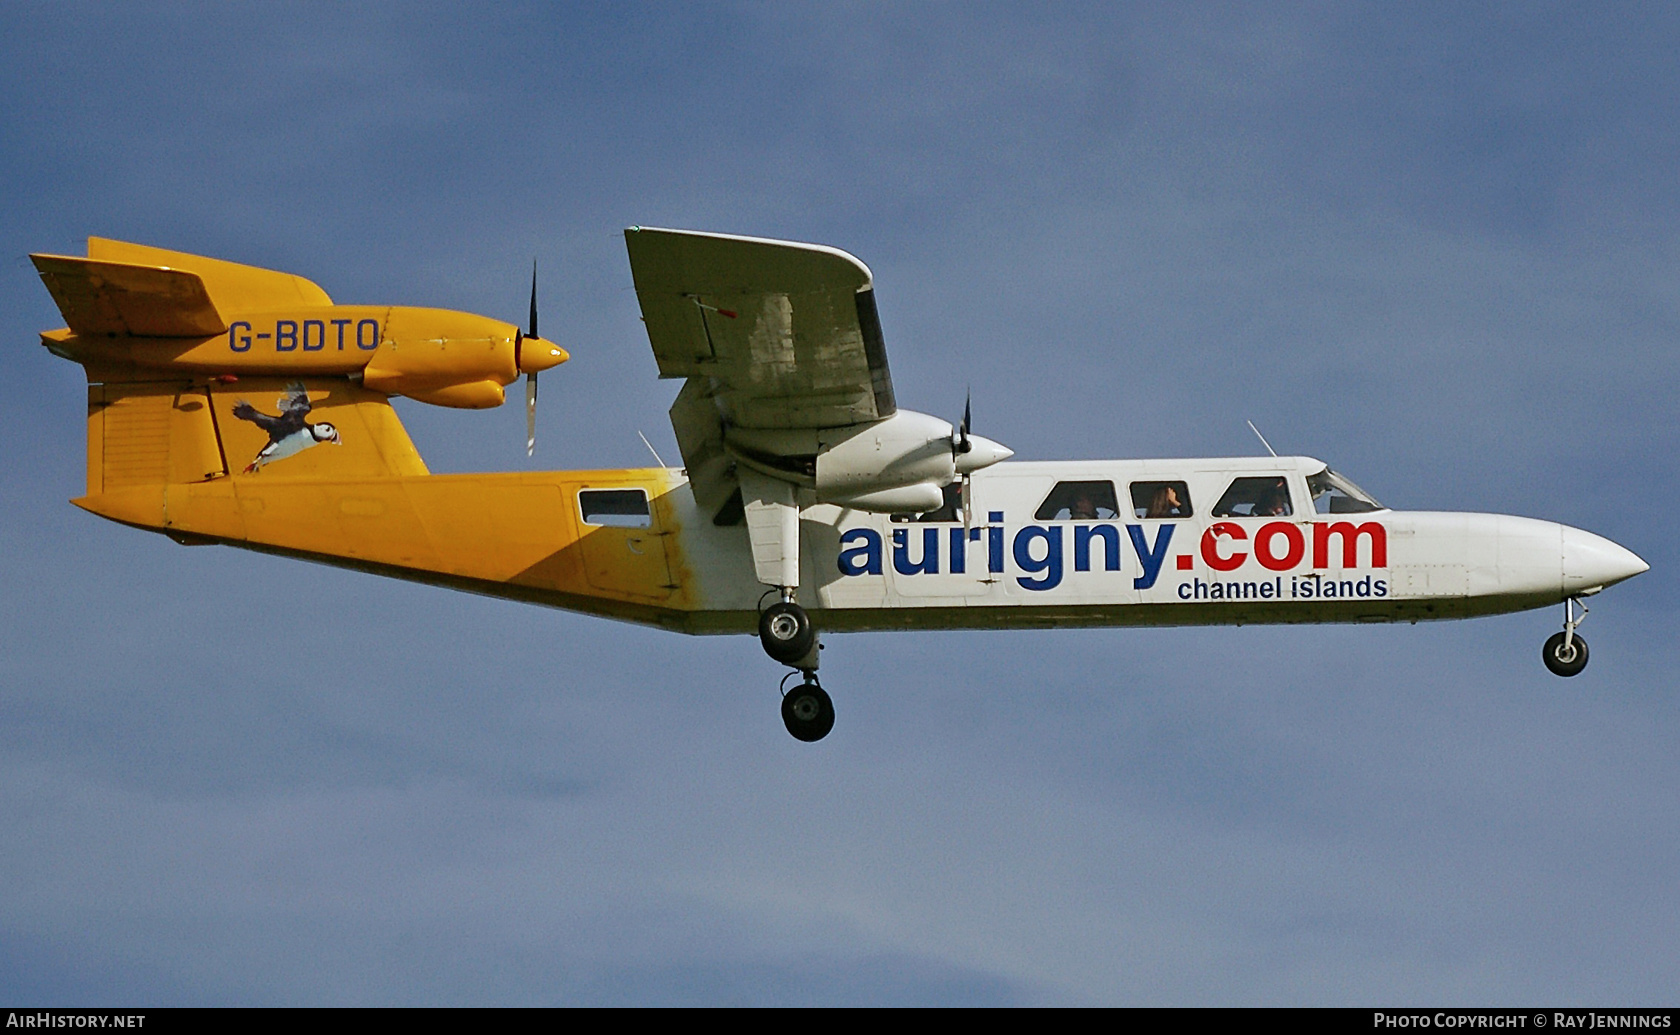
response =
{"points": [[1073, 544]]}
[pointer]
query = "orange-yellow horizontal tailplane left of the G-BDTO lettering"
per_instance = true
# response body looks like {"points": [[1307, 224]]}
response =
{"points": [[120, 298]]}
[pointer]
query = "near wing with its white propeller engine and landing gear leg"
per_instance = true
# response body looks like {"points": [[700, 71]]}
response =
{"points": [[787, 402]]}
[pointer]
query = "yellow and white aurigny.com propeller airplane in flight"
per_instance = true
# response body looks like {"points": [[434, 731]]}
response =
{"points": [[239, 406]]}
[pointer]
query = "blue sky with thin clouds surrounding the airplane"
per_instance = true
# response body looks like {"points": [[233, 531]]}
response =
{"points": [[1432, 244]]}
